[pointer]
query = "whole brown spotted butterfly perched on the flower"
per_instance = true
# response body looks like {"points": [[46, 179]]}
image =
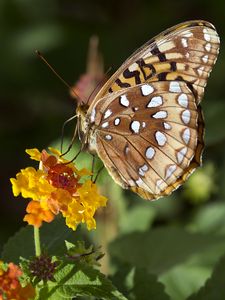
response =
{"points": [[146, 123]]}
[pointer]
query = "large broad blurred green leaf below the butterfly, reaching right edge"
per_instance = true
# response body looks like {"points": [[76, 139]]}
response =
{"points": [[161, 248]]}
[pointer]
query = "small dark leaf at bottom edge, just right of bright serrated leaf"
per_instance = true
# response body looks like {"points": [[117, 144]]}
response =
{"points": [[147, 287]]}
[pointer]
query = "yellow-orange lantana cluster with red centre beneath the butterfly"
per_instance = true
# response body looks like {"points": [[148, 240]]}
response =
{"points": [[57, 187]]}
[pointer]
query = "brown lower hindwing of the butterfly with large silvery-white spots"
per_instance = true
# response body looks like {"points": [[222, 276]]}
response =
{"points": [[149, 137]]}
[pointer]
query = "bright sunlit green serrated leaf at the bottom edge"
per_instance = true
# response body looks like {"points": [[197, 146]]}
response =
{"points": [[79, 280]]}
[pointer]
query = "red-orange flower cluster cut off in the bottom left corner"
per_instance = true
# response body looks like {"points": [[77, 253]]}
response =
{"points": [[10, 287]]}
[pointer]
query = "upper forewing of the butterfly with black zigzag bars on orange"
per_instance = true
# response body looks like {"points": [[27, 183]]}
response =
{"points": [[185, 52]]}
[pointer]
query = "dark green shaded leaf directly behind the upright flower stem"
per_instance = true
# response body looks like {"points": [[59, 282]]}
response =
{"points": [[53, 238]]}
